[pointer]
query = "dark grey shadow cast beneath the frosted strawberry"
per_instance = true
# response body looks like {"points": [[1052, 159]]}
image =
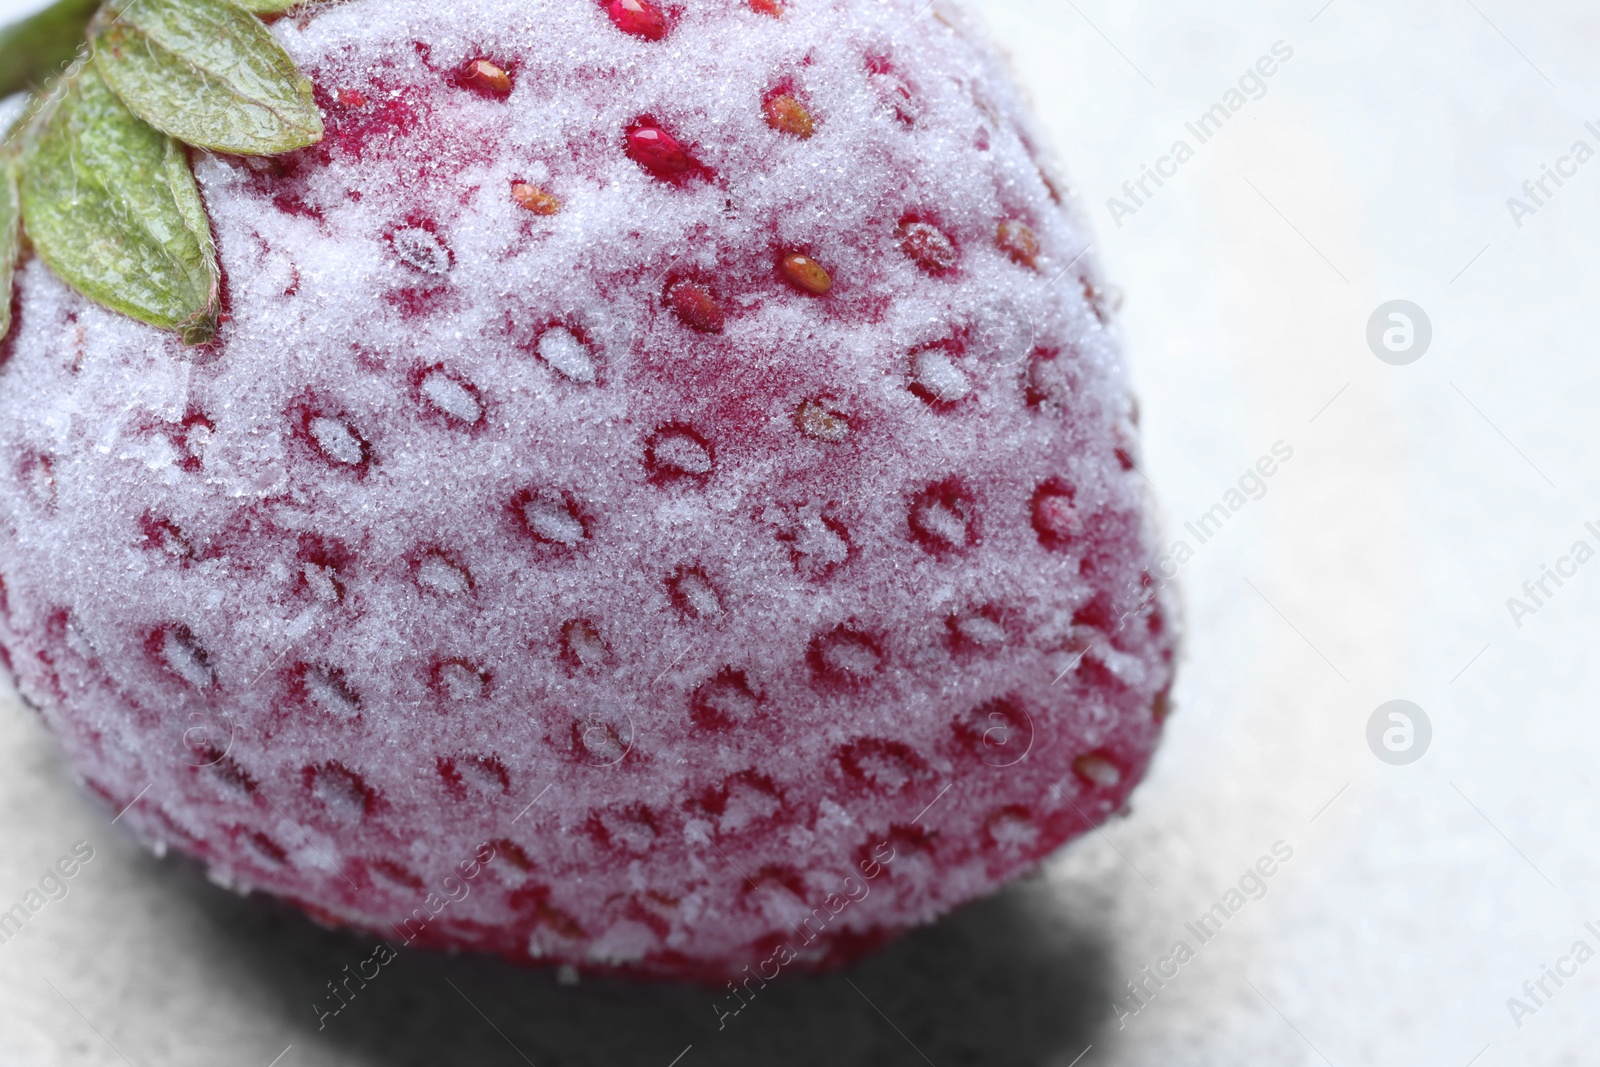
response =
{"points": [[1020, 978]]}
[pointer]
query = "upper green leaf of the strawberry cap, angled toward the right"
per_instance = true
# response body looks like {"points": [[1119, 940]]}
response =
{"points": [[207, 73]]}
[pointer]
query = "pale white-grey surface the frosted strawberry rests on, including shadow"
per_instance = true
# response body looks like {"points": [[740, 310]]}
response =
{"points": [[1415, 905]]}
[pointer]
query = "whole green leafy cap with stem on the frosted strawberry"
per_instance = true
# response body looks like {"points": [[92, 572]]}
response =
{"points": [[138, 82]]}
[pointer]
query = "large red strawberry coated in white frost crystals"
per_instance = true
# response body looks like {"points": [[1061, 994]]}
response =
{"points": [[673, 452]]}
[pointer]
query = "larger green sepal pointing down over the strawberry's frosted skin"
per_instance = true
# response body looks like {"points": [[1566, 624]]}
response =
{"points": [[114, 210]]}
